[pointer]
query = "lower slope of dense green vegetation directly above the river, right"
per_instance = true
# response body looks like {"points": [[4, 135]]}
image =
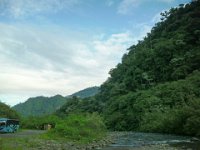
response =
{"points": [[171, 107]]}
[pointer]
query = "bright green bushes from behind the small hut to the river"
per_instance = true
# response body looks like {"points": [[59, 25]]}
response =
{"points": [[76, 127]]}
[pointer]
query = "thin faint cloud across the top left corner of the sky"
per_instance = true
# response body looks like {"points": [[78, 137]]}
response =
{"points": [[24, 8]]}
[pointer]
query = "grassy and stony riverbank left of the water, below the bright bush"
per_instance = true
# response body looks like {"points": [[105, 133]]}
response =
{"points": [[32, 140]]}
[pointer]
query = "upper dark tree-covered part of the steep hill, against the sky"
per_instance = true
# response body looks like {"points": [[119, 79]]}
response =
{"points": [[170, 52]]}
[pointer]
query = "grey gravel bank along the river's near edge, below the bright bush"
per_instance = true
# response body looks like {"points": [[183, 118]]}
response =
{"points": [[98, 145]]}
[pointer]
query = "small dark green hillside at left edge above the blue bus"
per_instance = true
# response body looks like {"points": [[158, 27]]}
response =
{"points": [[7, 112]]}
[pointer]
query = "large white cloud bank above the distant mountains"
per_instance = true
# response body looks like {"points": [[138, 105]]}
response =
{"points": [[40, 62]]}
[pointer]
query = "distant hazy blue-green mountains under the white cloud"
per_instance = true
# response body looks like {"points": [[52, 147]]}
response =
{"points": [[40, 106]]}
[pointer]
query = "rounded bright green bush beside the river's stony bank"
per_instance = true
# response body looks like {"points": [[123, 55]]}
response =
{"points": [[79, 128]]}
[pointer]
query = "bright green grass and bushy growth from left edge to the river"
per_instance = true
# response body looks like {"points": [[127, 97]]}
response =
{"points": [[77, 128]]}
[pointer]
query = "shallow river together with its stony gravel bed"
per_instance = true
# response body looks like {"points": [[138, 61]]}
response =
{"points": [[127, 141]]}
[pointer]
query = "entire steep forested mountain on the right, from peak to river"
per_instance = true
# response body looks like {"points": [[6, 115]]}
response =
{"points": [[156, 88]]}
